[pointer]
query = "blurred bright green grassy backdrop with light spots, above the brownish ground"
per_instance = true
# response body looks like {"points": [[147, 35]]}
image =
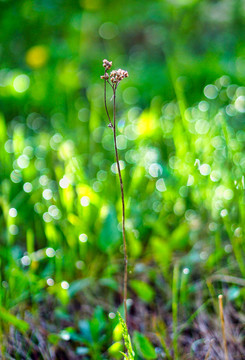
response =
{"points": [[180, 138]]}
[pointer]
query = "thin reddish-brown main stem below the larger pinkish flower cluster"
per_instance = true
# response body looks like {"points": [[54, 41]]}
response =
{"points": [[125, 280]]}
